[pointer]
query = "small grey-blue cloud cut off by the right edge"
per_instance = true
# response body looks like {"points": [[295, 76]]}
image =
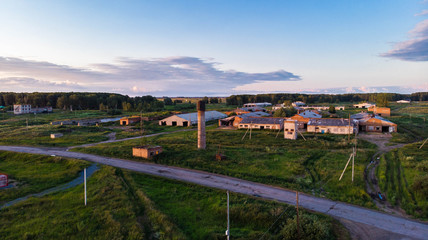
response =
{"points": [[415, 49]]}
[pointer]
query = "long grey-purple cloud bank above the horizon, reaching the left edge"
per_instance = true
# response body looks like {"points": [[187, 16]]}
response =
{"points": [[162, 76]]}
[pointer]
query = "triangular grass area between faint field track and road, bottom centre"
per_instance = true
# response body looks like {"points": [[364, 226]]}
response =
{"points": [[200, 212]]}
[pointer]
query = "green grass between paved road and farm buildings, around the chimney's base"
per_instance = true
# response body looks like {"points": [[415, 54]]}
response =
{"points": [[313, 166]]}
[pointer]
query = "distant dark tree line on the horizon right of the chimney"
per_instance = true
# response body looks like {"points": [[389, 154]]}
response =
{"points": [[324, 98]]}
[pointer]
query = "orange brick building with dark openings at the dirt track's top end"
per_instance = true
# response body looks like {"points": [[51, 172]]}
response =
{"points": [[376, 124]]}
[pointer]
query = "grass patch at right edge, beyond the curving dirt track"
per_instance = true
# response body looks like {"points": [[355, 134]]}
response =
{"points": [[403, 175]]}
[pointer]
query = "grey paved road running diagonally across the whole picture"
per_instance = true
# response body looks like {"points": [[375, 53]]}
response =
{"points": [[405, 227]]}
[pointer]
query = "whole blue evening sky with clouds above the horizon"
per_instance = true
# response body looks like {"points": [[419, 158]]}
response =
{"points": [[214, 48]]}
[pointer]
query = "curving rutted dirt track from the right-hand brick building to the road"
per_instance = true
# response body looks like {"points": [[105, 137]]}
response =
{"points": [[372, 186]]}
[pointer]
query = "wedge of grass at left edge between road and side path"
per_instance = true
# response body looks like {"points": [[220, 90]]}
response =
{"points": [[35, 173]]}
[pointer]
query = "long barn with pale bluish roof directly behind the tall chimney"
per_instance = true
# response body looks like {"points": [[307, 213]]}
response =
{"points": [[188, 119]]}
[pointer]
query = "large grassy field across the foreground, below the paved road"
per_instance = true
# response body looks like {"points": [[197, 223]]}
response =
{"points": [[128, 205]]}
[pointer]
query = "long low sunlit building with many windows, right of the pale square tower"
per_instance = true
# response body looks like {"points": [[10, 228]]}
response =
{"points": [[331, 125]]}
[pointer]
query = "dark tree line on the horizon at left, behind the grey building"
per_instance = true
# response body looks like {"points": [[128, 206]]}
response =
{"points": [[83, 101]]}
